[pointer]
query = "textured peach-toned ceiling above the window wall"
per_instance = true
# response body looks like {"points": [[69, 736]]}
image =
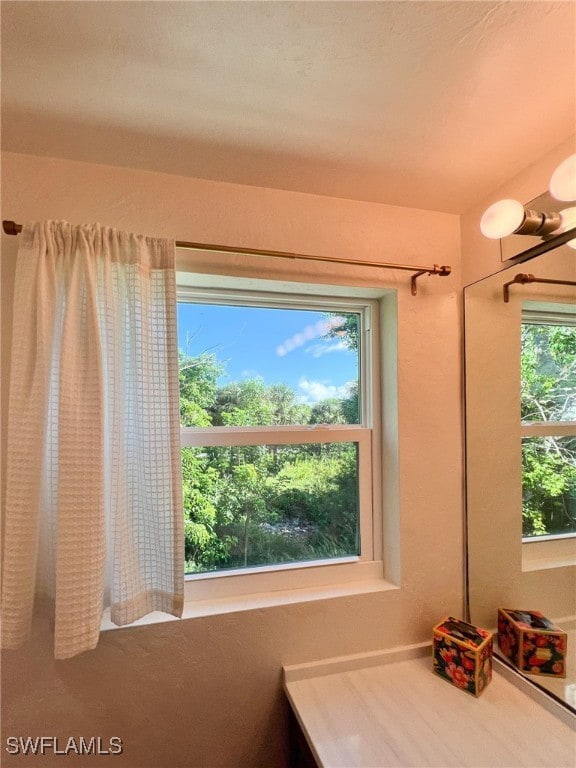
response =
{"points": [[426, 104]]}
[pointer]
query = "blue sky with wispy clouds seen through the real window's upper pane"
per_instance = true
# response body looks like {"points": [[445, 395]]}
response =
{"points": [[280, 346]]}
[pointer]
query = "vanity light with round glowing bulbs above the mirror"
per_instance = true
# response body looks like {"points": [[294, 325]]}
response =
{"points": [[509, 217]]}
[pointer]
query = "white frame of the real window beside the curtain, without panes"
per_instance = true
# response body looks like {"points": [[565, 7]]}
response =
{"points": [[306, 575]]}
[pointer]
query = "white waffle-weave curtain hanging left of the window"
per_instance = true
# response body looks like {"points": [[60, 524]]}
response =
{"points": [[93, 512]]}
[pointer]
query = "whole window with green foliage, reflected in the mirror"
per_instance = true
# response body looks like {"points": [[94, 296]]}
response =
{"points": [[548, 429]]}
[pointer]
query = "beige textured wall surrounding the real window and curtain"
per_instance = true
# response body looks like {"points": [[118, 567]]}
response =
{"points": [[207, 691]]}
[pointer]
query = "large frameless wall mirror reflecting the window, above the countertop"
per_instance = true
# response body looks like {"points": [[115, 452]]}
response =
{"points": [[521, 449]]}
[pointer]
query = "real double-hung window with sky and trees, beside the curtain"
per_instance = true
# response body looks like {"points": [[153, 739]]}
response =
{"points": [[280, 426]]}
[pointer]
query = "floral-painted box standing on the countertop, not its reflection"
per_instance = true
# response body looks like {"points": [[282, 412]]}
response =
{"points": [[463, 654]]}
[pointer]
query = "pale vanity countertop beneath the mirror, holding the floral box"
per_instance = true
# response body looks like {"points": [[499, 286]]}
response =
{"points": [[399, 713]]}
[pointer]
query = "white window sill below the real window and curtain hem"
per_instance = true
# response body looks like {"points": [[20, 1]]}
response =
{"points": [[257, 601]]}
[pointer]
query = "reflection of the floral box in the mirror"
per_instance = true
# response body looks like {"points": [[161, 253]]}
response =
{"points": [[532, 642]]}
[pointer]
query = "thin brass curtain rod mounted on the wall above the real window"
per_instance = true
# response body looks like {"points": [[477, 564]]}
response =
{"points": [[11, 228]]}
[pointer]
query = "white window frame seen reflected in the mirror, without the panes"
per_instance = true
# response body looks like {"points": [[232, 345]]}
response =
{"points": [[554, 550]]}
